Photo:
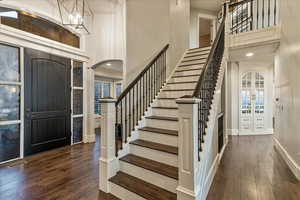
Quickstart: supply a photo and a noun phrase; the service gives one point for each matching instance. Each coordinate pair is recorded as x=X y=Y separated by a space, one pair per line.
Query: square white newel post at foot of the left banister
x=107 y=161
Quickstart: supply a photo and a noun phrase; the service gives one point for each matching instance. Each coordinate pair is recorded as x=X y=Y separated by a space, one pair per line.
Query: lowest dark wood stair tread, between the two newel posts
x=142 y=188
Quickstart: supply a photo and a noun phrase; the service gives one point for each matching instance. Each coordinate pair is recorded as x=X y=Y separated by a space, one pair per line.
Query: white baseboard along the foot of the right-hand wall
x=295 y=168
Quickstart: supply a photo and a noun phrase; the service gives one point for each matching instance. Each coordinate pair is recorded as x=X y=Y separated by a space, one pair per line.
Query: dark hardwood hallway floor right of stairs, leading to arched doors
x=251 y=169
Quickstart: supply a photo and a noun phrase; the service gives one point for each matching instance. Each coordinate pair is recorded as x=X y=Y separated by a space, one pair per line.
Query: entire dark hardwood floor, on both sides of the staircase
x=250 y=170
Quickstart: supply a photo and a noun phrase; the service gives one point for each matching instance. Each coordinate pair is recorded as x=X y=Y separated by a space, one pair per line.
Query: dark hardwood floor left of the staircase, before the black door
x=68 y=173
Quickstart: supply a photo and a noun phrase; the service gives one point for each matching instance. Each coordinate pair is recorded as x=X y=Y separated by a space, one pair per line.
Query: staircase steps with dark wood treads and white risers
x=150 y=169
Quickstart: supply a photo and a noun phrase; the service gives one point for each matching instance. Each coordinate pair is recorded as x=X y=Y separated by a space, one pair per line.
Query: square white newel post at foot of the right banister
x=188 y=164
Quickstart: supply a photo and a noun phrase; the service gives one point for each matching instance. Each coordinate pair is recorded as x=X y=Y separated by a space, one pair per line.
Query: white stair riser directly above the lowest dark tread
x=149 y=176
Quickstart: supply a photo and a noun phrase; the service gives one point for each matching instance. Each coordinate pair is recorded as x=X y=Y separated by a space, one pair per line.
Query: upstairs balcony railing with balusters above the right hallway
x=251 y=15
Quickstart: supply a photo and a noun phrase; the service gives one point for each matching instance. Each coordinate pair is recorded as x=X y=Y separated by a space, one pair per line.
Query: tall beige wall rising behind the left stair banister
x=150 y=25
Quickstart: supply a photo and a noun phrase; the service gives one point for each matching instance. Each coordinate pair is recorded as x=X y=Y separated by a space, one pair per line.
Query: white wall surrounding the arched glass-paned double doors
x=235 y=70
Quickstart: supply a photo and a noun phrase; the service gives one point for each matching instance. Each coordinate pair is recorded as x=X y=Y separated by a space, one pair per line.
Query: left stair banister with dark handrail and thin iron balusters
x=136 y=98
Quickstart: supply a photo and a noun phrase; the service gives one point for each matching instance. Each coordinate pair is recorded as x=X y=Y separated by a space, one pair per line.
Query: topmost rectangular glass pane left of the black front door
x=9 y=64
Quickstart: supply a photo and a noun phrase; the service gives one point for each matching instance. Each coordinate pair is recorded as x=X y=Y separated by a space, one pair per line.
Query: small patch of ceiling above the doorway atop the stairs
x=210 y=5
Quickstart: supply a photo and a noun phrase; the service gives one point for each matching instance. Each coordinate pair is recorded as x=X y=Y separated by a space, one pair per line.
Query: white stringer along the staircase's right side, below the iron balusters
x=205 y=180
